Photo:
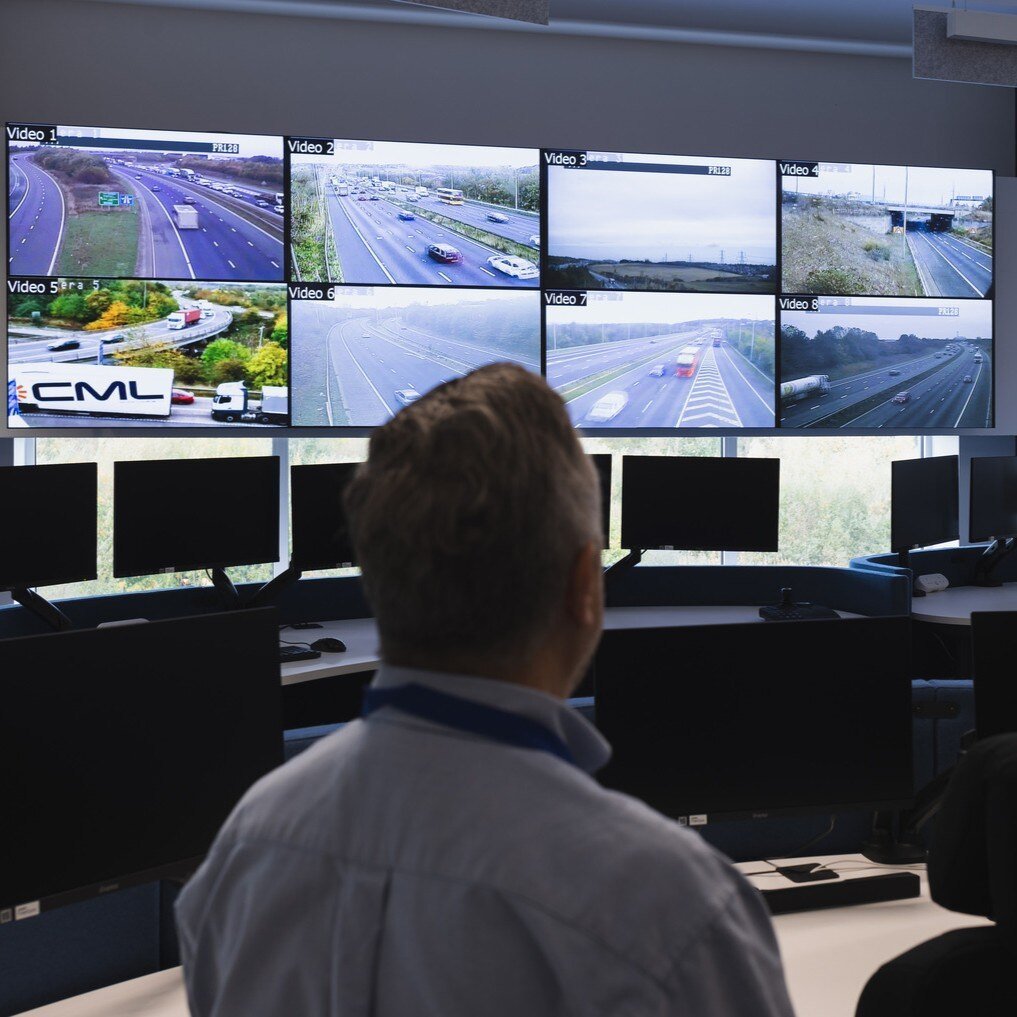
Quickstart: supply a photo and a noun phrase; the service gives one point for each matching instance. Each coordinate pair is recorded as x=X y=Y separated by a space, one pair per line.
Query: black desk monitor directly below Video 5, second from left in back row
x=178 y=515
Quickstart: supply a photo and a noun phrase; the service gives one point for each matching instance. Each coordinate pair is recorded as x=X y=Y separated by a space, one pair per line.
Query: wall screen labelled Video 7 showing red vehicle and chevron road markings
x=662 y=361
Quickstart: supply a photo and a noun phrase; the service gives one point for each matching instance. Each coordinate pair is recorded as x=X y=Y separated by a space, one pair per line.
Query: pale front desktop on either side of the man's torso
x=828 y=955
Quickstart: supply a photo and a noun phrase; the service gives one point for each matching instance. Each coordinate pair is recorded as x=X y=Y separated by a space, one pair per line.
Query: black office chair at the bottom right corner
x=973 y=869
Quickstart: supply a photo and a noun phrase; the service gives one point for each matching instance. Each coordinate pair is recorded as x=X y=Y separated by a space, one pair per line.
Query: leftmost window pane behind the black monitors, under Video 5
x=106 y=452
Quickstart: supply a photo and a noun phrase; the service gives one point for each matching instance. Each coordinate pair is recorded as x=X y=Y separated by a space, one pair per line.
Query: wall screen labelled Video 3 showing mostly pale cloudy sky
x=674 y=223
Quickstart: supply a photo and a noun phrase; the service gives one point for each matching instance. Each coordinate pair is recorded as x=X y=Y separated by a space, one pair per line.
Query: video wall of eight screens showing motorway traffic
x=194 y=280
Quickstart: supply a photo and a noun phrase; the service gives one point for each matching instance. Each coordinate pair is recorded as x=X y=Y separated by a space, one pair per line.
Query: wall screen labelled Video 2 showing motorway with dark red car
x=380 y=213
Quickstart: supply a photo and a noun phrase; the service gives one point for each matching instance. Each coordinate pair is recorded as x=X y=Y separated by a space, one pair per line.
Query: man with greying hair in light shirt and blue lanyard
x=450 y=855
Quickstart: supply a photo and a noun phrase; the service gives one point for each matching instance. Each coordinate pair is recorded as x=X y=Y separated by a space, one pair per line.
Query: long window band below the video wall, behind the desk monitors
x=835 y=493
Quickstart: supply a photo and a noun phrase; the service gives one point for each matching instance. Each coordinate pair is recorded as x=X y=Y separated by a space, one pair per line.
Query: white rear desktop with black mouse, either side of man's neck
x=362 y=639
